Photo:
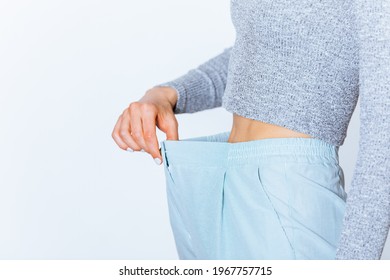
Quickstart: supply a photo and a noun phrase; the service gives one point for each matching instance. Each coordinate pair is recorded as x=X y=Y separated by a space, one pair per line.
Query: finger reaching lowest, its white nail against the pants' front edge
x=150 y=137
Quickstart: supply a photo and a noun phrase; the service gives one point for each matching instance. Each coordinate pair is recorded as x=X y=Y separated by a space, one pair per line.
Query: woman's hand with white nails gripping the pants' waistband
x=135 y=129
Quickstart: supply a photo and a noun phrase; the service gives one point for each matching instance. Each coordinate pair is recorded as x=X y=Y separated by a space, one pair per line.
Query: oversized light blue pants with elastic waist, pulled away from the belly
x=279 y=198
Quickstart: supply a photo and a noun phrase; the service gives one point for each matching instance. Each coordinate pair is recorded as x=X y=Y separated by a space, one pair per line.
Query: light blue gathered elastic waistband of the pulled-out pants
x=214 y=150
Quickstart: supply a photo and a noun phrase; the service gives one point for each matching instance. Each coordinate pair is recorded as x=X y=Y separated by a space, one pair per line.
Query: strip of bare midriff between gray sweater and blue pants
x=245 y=129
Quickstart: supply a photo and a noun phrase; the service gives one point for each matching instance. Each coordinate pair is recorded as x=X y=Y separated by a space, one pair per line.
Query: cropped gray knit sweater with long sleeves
x=303 y=64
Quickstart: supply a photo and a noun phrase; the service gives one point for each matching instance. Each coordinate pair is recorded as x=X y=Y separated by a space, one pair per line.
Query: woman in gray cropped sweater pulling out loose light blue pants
x=272 y=188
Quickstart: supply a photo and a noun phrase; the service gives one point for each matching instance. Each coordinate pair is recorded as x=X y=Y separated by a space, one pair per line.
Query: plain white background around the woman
x=67 y=71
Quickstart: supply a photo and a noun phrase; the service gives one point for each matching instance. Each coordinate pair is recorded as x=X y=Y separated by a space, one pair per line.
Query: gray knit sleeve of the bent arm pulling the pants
x=203 y=87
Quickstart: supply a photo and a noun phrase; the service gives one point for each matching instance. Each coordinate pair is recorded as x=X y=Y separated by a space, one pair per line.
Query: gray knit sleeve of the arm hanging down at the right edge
x=367 y=216
